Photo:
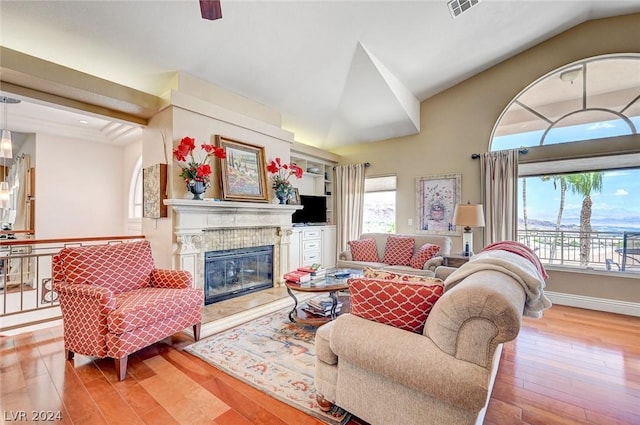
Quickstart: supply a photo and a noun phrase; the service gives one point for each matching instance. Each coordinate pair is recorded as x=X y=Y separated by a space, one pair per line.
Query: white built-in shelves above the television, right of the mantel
x=317 y=179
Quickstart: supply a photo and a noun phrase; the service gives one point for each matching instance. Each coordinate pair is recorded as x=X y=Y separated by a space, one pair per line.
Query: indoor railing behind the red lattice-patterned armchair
x=26 y=291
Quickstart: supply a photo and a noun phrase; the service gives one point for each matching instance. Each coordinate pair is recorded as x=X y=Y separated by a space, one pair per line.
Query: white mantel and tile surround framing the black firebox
x=202 y=227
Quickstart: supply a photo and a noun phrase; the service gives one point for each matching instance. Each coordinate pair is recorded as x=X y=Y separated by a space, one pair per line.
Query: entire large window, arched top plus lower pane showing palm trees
x=579 y=203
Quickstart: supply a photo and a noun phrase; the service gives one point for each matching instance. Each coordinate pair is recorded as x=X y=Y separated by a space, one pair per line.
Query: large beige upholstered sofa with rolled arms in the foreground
x=386 y=375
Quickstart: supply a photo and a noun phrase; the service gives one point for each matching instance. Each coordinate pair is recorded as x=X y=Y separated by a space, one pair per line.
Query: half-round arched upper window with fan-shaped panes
x=591 y=99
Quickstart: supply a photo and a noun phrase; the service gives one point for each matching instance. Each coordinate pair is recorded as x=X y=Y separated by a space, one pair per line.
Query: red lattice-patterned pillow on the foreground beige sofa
x=399 y=304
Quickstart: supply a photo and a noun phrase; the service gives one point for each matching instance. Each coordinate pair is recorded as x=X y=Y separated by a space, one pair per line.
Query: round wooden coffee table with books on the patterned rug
x=328 y=285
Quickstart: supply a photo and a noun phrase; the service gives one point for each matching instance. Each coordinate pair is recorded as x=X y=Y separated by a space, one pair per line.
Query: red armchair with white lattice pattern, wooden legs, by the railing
x=115 y=302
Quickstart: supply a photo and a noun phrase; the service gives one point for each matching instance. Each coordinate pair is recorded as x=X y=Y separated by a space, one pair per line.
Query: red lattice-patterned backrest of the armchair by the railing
x=123 y=269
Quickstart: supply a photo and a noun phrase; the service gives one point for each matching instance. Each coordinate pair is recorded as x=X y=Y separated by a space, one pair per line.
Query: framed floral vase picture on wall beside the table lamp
x=436 y=199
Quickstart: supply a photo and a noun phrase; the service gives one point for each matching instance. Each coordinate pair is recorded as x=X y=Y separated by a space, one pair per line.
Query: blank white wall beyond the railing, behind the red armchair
x=79 y=188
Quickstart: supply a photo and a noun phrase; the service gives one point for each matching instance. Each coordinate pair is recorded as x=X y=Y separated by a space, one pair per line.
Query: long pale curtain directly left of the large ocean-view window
x=499 y=174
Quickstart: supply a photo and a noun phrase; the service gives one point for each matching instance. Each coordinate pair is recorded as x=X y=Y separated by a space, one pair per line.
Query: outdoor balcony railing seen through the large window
x=616 y=251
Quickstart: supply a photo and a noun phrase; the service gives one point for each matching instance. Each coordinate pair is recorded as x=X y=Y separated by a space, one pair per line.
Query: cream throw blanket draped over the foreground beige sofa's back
x=519 y=268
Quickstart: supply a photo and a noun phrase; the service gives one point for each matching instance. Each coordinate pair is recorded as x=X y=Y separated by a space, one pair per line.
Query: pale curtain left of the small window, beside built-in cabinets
x=349 y=199
